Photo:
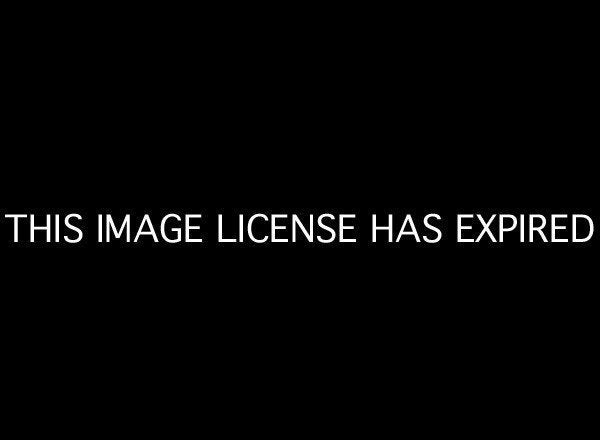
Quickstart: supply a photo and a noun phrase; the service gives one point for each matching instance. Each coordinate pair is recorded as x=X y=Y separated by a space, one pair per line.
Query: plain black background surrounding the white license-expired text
x=368 y=113
